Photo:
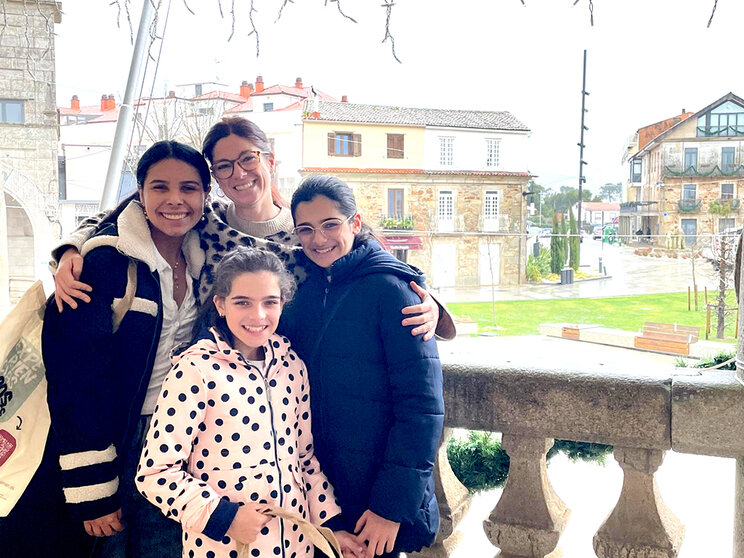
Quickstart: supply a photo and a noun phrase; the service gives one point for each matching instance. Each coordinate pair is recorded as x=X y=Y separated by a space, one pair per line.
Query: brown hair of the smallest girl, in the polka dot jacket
x=236 y=262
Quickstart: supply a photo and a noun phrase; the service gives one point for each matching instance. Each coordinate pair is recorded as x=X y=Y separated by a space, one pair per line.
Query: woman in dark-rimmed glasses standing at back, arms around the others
x=243 y=165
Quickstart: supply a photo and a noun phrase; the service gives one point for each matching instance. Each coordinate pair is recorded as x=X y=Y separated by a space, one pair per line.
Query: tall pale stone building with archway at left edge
x=28 y=143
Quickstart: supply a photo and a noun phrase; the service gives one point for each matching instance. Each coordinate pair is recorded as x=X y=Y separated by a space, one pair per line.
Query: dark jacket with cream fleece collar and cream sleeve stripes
x=97 y=378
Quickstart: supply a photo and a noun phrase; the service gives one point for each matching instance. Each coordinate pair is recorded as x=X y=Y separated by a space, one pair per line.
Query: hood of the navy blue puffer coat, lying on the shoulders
x=369 y=258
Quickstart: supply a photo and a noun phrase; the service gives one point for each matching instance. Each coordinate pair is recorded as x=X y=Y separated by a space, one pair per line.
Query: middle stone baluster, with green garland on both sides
x=529 y=517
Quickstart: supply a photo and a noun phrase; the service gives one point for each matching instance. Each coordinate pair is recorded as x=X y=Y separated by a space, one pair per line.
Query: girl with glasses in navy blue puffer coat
x=376 y=401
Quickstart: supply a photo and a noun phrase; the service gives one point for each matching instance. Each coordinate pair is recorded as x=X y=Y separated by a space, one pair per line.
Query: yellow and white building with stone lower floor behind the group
x=443 y=187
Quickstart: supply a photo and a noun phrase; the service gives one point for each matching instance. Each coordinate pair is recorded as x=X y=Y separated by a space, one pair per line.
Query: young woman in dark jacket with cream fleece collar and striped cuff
x=105 y=369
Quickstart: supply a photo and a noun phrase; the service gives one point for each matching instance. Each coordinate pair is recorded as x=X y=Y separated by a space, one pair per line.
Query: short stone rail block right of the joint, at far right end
x=707 y=414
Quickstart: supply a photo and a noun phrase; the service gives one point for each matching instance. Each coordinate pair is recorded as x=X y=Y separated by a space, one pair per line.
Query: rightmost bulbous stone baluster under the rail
x=641 y=525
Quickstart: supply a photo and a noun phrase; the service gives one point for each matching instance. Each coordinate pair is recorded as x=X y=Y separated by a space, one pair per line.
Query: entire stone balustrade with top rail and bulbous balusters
x=641 y=415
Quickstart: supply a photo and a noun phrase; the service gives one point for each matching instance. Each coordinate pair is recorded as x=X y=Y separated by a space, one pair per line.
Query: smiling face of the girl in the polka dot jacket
x=252 y=309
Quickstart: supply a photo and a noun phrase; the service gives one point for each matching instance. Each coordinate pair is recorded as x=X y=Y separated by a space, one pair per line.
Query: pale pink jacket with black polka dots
x=225 y=433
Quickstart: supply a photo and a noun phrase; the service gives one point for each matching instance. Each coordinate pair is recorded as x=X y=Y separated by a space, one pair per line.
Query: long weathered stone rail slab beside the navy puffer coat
x=622 y=408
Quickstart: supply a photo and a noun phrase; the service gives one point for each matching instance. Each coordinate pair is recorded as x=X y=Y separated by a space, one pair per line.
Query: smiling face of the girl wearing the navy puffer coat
x=325 y=248
